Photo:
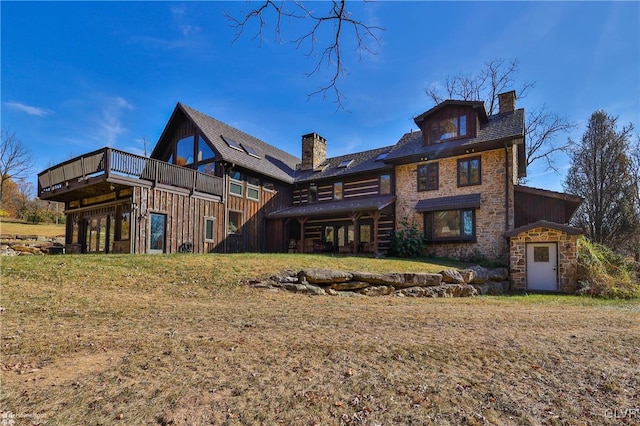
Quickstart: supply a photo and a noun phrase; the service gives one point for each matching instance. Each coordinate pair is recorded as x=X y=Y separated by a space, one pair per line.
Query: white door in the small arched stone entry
x=542 y=266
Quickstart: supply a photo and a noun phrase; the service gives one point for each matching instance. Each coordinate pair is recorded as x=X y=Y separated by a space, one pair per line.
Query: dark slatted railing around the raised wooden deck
x=113 y=162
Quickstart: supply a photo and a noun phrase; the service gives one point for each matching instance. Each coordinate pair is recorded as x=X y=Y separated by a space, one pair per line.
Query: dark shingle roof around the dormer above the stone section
x=500 y=127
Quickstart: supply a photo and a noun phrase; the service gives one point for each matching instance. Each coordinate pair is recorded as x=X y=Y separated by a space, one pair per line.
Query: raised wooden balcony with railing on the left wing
x=104 y=170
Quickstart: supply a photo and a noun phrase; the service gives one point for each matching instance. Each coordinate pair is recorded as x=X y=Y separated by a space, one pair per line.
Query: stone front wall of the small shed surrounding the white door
x=567 y=257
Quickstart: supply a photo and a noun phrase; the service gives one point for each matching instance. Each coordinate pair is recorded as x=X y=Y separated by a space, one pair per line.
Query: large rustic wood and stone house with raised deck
x=209 y=187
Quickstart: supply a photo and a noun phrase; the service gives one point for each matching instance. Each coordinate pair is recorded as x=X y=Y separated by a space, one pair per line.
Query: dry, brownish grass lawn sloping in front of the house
x=143 y=340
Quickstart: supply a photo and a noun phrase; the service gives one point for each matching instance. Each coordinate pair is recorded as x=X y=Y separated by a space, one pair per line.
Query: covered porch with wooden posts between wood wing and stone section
x=344 y=227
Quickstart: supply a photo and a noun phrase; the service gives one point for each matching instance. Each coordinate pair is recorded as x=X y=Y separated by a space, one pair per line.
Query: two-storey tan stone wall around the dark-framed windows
x=490 y=218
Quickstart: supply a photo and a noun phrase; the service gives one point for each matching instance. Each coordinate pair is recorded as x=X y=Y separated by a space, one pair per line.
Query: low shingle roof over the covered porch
x=336 y=207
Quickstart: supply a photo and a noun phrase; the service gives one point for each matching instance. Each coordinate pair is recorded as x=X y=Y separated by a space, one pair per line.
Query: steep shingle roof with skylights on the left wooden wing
x=272 y=161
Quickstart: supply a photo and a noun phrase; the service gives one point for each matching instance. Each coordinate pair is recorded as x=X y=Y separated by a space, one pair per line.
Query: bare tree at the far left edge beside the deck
x=15 y=159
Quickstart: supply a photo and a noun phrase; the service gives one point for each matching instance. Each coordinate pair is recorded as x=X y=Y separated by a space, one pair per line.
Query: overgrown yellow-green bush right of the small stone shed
x=604 y=273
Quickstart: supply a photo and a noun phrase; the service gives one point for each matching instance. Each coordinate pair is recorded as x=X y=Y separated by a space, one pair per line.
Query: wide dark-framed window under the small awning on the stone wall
x=457 y=225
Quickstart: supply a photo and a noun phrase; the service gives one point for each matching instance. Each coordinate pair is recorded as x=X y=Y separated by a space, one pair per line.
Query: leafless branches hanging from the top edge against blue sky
x=338 y=19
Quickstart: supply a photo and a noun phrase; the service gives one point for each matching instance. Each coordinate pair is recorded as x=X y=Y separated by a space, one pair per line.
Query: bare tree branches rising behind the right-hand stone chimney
x=497 y=76
